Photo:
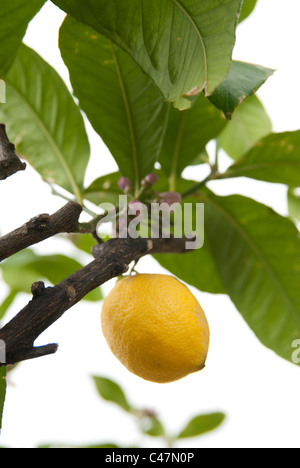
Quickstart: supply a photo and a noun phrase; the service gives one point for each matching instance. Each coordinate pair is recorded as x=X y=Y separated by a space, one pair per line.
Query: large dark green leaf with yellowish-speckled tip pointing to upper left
x=119 y=100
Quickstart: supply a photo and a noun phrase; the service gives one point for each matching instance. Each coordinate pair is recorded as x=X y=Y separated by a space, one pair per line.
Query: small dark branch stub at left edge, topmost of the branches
x=9 y=161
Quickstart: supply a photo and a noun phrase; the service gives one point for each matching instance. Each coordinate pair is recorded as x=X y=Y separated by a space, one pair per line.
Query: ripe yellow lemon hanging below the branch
x=156 y=327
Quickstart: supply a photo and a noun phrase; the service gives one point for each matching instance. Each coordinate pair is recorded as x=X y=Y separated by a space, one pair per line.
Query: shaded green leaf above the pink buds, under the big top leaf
x=187 y=134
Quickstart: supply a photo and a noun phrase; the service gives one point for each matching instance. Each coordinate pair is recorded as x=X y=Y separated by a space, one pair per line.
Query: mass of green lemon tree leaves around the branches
x=157 y=82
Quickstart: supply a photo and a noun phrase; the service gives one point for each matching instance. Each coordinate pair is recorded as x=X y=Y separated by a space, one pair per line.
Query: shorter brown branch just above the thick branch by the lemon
x=40 y=228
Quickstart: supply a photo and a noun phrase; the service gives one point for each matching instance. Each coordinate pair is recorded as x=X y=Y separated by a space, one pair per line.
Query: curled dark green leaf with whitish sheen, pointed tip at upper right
x=243 y=80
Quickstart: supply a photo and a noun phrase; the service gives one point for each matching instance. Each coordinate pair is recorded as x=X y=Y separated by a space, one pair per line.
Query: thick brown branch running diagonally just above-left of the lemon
x=49 y=304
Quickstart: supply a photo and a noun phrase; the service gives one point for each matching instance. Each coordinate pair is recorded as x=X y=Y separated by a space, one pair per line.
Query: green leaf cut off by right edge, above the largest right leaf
x=274 y=159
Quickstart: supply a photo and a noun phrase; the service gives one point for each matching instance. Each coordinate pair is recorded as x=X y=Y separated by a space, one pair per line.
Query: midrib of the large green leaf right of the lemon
x=259 y=254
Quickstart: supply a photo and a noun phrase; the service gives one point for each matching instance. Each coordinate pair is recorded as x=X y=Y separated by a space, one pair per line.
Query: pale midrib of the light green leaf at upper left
x=53 y=144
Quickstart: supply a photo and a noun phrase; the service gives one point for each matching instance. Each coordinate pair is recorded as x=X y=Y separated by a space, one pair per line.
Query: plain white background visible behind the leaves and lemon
x=54 y=400
